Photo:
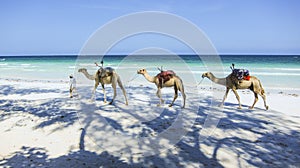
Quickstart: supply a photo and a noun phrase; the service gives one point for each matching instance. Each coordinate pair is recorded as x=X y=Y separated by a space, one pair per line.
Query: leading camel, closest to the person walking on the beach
x=106 y=75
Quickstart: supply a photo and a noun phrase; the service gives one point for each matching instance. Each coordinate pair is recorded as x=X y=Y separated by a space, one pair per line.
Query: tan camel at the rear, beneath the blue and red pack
x=231 y=82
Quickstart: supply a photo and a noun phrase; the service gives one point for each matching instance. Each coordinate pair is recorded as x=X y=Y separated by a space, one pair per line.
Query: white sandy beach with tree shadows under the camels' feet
x=40 y=126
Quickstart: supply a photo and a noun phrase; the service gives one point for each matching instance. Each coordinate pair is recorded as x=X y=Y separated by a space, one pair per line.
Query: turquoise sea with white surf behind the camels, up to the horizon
x=275 y=71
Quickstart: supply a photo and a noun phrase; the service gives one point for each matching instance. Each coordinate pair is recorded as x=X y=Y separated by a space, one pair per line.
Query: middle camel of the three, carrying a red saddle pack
x=173 y=81
